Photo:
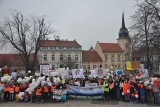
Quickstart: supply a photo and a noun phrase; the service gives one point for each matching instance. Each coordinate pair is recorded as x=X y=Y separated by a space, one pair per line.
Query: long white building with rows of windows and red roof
x=60 y=54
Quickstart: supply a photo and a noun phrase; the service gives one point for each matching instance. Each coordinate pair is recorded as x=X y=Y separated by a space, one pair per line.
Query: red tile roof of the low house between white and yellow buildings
x=90 y=56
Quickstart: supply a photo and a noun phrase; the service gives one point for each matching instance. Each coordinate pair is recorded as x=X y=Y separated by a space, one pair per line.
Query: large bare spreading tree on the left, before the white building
x=25 y=35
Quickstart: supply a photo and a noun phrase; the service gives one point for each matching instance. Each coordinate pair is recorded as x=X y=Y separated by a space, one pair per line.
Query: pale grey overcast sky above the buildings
x=86 y=21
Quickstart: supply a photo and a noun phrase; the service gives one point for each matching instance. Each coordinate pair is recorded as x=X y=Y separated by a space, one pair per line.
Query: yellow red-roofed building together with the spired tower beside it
x=114 y=55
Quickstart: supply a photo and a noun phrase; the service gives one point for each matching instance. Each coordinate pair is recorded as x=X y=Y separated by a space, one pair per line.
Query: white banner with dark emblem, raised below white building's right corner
x=77 y=73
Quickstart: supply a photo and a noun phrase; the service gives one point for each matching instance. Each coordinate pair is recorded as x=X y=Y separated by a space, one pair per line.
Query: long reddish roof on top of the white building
x=61 y=43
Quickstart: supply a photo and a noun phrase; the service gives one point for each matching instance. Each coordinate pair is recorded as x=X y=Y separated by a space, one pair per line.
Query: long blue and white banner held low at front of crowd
x=92 y=90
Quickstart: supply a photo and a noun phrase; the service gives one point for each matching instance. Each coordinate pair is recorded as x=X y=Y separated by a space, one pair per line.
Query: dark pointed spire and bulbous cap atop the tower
x=123 y=32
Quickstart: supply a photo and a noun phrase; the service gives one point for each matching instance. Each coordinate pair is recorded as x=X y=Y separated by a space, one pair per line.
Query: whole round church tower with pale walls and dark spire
x=124 y=41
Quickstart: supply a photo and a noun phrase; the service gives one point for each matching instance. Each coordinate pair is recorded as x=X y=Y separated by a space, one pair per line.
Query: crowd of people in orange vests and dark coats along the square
x=125 y=88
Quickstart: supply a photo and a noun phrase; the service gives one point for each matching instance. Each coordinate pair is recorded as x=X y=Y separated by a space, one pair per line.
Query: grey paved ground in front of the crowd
x=77 y=103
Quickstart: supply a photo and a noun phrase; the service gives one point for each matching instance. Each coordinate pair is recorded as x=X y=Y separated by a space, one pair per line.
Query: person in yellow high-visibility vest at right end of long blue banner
x=106 y=89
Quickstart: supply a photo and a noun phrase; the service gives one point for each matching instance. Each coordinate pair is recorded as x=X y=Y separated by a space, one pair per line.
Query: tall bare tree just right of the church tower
x=143 y=20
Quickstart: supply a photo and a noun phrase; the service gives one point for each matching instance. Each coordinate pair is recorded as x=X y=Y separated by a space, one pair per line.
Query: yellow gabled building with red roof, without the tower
x=111 y=54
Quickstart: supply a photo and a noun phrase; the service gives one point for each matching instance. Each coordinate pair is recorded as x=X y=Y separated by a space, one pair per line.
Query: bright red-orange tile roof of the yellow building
x=110 y=47
